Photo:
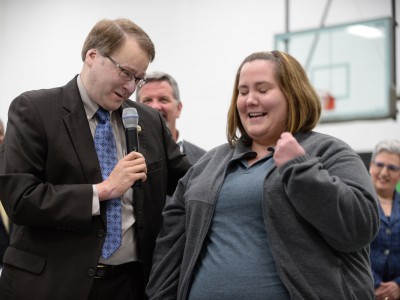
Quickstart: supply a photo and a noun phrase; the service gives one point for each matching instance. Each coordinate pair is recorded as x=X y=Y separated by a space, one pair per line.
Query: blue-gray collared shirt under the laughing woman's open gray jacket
x=236 y=260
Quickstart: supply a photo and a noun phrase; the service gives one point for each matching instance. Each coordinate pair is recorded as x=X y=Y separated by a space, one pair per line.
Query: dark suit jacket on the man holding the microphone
x=48 y=164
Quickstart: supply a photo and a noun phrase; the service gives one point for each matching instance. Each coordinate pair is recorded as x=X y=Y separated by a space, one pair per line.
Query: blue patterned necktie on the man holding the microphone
x=107 y=154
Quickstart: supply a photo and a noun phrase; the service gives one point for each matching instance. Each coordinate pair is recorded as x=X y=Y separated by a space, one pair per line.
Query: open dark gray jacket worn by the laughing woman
x=320 y=211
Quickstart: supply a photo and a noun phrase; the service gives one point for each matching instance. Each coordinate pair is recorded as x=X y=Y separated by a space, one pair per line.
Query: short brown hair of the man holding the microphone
x=107 y=36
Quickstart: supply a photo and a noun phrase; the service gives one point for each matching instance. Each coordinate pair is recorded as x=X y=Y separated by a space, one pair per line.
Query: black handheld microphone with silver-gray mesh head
x=130 y=119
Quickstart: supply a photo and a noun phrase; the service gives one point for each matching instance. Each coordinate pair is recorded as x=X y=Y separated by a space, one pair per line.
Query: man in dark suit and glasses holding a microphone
x=52 y=186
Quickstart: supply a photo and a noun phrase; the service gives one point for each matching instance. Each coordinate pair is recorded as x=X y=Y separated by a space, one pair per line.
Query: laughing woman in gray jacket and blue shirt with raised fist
x=278 y=212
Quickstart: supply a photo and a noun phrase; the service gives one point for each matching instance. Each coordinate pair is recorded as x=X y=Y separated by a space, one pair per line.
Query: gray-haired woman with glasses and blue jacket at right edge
x=385 y=249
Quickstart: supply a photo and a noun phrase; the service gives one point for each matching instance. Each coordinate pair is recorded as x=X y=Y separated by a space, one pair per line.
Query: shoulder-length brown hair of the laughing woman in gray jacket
x=304 y=107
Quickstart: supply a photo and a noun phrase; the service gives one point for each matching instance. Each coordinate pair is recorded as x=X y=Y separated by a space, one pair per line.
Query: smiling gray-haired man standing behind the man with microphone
x=162 y=93
